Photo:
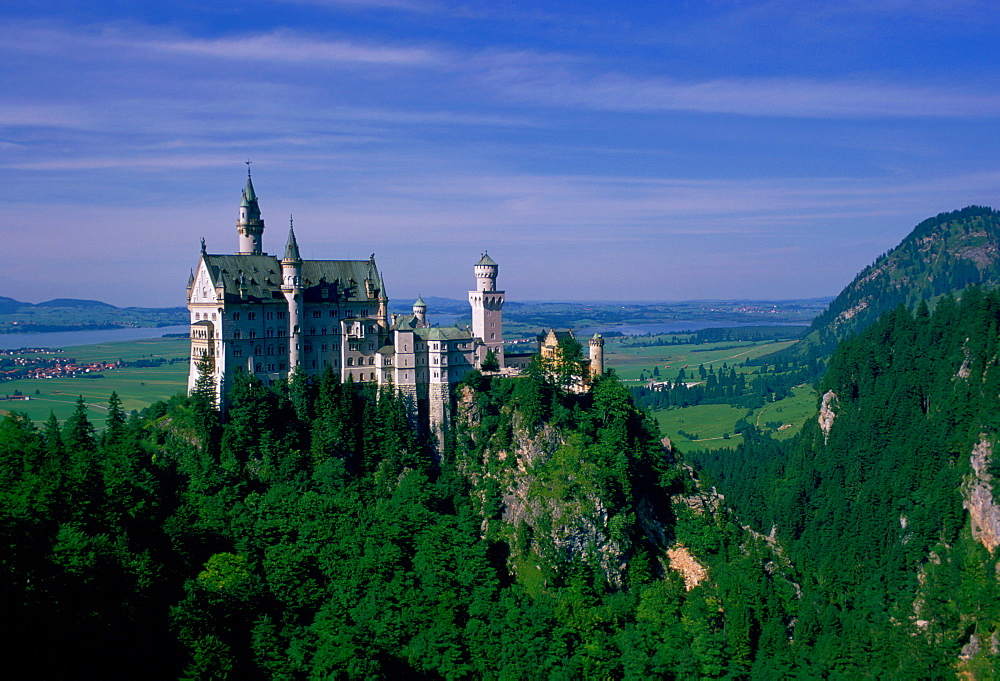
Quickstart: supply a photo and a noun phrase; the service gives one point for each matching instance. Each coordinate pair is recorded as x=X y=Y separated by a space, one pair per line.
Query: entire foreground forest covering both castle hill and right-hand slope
x=312 y=534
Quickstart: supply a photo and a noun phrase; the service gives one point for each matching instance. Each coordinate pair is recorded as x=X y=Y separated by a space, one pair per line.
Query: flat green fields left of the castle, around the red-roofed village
x=137 y=387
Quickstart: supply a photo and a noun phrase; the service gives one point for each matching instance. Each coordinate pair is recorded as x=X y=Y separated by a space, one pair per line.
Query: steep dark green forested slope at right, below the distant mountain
x=885 y=501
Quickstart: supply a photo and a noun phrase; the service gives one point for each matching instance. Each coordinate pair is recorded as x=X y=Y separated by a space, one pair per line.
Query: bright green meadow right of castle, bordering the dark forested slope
x=710 y=422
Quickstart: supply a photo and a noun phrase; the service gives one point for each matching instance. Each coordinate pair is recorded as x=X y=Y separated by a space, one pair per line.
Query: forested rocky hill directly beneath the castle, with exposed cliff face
x=312 y=535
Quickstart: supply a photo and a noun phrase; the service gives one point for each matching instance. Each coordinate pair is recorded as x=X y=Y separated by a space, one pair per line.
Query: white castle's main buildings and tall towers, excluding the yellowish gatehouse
x=251 y=312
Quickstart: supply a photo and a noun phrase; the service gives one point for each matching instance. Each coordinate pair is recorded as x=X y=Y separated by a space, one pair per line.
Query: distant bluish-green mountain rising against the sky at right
x=942 y=254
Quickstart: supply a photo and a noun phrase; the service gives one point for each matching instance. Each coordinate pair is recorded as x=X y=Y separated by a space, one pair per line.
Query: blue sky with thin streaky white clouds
x=597 y=150
